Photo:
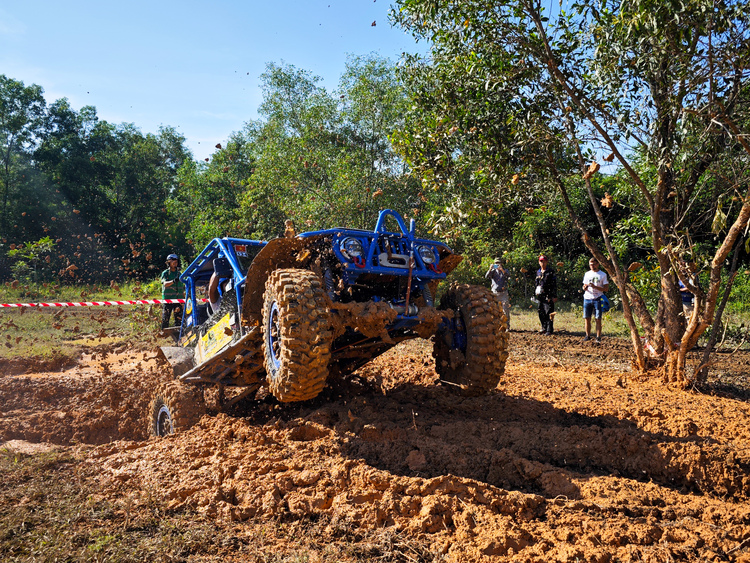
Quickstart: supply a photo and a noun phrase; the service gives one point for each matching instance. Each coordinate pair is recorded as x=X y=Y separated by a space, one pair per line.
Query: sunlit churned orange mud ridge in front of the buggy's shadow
x=300 y=465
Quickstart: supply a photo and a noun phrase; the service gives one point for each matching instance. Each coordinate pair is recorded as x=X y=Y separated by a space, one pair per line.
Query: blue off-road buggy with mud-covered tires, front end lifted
x=298 y=310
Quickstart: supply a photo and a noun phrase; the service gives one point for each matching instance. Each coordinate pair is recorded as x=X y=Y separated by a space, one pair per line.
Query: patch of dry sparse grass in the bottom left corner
x=50 y=511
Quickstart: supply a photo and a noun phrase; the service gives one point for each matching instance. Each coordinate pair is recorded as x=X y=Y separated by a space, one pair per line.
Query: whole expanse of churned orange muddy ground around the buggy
x=572 y=458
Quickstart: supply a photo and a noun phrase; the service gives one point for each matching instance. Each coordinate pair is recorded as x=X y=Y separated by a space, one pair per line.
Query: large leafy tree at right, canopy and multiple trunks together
x=530 y=101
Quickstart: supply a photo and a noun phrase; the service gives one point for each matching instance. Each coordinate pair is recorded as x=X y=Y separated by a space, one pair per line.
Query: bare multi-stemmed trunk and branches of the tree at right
x=668 y=327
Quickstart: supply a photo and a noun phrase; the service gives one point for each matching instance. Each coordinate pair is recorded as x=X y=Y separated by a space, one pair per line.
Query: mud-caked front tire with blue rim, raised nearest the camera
x=297 y=334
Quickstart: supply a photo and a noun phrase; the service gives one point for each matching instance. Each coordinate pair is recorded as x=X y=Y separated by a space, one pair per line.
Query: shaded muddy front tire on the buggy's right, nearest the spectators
x=475 y=361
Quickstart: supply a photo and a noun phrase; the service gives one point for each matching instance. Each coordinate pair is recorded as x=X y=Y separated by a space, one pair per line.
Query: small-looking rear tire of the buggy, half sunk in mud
x=175 y=407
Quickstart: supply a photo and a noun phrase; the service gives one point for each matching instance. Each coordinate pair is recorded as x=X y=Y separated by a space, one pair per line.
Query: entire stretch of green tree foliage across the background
x=476 y=142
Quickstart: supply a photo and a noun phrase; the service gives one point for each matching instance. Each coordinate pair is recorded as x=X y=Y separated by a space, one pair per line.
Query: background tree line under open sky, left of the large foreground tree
x=115 y=201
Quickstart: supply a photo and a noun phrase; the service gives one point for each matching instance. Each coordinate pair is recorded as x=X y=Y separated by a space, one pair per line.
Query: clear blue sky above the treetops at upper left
x=191 y=65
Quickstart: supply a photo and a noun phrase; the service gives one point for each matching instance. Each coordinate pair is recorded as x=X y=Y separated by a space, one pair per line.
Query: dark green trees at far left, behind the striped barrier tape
x=99 y=191
